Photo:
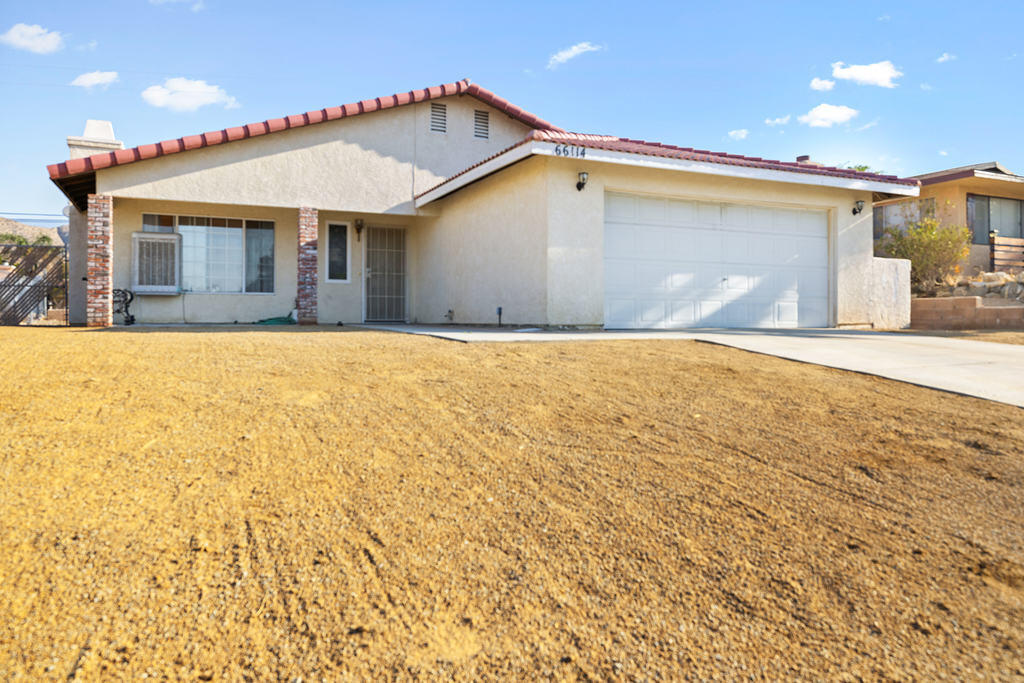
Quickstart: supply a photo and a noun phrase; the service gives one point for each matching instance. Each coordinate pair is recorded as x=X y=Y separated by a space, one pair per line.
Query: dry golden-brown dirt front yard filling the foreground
x=281 y=503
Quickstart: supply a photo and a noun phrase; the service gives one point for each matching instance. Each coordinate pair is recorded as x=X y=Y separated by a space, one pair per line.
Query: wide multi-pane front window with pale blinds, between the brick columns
x=222 y=255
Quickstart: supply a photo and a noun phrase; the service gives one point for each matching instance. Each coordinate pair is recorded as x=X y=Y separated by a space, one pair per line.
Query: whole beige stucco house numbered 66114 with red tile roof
x=445 y=204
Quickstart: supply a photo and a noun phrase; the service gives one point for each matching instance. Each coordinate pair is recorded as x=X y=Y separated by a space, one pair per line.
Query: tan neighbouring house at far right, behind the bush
x=984 y=197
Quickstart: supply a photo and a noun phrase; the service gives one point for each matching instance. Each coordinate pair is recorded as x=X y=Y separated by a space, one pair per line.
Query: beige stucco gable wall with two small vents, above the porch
x=371 y=163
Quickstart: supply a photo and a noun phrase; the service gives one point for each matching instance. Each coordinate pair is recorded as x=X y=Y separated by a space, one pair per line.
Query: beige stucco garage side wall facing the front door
x=487 y=248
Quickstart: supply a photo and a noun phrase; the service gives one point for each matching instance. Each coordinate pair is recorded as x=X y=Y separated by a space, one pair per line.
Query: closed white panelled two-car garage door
x=674 y=264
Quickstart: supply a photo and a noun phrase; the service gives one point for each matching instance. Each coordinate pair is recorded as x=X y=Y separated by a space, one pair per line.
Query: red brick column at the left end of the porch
x=100 y=255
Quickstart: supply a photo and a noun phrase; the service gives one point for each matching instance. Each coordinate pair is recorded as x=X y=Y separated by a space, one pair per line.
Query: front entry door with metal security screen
x=386 y=275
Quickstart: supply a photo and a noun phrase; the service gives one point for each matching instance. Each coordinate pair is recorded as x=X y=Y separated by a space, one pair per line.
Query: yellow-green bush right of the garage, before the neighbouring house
x=934 y=250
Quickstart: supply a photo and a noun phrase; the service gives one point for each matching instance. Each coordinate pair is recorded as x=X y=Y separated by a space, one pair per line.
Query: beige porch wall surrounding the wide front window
x=209 y=308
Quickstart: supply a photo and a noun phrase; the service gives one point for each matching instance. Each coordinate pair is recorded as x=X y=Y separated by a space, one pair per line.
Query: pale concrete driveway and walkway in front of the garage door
x=986 y=370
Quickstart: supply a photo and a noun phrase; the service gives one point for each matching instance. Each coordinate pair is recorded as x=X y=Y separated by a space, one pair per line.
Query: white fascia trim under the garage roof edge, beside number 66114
x=648 y=161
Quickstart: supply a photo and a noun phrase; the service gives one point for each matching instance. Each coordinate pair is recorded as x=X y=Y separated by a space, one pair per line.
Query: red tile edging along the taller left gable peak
x=108 y=159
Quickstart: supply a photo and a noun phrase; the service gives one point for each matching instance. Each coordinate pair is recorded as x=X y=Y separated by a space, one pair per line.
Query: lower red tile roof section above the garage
x=614 y=144
